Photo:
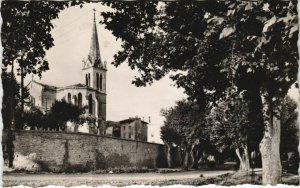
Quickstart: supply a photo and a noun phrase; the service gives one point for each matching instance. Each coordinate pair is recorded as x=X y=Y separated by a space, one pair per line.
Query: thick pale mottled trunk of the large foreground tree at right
x=269 y=147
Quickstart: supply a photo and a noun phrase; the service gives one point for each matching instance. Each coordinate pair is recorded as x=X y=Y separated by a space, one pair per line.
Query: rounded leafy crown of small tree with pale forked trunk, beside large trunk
x=230 y=124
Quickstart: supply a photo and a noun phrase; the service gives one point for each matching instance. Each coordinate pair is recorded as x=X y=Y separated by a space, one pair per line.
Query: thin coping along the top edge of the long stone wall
x=80 y=133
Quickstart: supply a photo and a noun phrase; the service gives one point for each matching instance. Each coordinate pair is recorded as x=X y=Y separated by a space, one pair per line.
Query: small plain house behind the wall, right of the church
x=134 y=129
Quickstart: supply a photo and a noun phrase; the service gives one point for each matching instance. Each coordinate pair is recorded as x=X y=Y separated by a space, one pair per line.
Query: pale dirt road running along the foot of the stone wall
x=38 y=180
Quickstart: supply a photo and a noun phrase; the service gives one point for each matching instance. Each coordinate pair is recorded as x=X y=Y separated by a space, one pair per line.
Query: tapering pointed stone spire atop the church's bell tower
x=94 y=53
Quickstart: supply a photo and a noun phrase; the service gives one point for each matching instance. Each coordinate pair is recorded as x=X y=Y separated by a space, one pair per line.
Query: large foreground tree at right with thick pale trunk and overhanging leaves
x=264 y=58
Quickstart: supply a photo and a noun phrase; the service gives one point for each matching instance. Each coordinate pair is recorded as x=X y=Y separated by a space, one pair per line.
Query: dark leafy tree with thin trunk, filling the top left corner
x=26 y=36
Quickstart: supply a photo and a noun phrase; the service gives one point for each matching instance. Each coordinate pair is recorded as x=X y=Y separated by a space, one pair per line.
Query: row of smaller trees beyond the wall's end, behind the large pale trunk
x=228 y=128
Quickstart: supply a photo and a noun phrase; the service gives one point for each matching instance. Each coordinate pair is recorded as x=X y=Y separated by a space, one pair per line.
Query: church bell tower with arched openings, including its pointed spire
x=94 y=72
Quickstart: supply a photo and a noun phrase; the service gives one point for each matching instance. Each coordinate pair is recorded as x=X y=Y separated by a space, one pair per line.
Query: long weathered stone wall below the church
x=59 y=151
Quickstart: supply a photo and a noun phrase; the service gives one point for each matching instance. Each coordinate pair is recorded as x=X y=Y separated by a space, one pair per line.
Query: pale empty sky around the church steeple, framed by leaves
x=71 y=33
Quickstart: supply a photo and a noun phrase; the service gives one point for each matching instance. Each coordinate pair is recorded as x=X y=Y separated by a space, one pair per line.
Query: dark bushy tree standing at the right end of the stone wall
x=182 y=127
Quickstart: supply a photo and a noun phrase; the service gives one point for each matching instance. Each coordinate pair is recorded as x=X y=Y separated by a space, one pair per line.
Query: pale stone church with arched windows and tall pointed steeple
x=91 y=92
